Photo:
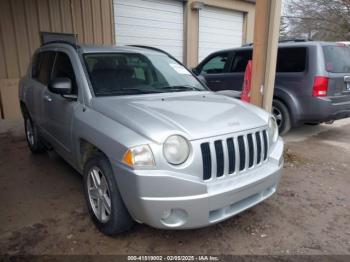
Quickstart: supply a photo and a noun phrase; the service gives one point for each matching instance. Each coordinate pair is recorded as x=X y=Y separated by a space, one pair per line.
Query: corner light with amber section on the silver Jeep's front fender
x=139 y=156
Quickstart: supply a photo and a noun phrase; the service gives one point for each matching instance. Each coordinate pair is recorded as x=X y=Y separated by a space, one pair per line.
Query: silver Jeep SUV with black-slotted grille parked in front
x=153 y=144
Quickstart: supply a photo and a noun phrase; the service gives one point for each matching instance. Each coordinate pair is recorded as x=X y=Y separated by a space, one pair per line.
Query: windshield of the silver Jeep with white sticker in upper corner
x=113 y=74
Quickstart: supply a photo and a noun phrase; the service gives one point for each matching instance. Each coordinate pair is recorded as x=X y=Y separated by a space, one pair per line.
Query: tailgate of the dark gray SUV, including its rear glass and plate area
x=337 y=64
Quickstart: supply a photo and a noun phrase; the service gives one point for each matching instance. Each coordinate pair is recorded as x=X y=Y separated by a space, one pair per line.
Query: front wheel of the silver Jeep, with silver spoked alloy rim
x=105 y=205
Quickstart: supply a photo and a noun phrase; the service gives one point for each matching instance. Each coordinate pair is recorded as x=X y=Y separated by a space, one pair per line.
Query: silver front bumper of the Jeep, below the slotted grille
x=170 y=200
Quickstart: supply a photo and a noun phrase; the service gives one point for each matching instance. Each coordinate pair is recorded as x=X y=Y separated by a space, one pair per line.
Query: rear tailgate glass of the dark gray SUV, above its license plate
x=337 y=59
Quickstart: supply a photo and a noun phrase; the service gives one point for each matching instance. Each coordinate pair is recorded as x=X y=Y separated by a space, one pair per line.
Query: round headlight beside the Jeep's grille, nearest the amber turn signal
x=176 y=150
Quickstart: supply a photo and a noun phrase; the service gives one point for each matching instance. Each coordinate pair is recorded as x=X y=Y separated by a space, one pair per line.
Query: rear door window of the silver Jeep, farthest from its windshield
x=43 y=66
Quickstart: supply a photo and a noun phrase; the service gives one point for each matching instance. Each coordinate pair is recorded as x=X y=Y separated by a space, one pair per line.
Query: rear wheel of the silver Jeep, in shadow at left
x=34 y=141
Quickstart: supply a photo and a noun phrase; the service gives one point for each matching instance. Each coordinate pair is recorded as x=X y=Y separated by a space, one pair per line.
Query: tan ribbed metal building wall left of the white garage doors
x=20 y=24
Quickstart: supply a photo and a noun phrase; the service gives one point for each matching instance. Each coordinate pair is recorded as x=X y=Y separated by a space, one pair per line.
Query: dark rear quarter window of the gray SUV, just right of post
x=291 y=60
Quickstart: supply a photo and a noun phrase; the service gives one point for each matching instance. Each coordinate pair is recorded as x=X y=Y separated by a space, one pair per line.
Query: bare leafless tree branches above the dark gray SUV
x=327 y=20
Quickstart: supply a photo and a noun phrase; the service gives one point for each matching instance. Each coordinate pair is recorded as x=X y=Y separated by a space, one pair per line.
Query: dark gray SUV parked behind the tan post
x=312 y=80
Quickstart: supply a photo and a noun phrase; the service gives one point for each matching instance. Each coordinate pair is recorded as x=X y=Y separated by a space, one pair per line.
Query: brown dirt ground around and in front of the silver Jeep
x=43 y=209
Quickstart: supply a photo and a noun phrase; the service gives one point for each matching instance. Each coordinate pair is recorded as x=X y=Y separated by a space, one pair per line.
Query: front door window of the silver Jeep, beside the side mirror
x=63 y=68
